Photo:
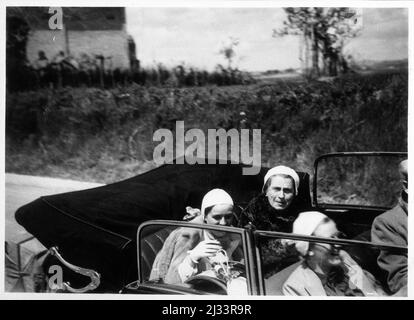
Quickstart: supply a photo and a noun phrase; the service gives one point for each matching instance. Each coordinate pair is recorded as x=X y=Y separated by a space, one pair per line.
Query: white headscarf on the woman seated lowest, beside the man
x=306 y=224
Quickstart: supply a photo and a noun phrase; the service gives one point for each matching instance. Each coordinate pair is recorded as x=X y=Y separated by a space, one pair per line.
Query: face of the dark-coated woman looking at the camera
x=281 y=192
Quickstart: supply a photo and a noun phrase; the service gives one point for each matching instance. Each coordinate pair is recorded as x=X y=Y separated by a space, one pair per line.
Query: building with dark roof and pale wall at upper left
x=96 y=32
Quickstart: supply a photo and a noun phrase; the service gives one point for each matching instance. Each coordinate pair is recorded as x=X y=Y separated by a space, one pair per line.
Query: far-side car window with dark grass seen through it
x=359 y=180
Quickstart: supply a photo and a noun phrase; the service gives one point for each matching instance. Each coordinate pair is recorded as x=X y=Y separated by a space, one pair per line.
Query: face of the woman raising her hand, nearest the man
x=323 y=254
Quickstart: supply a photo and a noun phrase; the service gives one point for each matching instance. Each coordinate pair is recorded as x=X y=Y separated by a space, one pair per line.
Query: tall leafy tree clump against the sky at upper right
x=324 y=33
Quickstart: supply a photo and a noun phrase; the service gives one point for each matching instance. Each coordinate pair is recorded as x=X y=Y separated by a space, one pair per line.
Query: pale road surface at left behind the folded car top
x=21 y=189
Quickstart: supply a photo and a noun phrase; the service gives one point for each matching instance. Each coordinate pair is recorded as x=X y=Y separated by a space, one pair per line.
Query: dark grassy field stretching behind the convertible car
x=106 y=135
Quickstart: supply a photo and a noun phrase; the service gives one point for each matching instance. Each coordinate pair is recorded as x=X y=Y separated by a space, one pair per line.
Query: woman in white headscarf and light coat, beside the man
x=326 y=270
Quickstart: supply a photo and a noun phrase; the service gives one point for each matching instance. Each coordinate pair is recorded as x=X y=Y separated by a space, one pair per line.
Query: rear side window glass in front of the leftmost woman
x=197 y=258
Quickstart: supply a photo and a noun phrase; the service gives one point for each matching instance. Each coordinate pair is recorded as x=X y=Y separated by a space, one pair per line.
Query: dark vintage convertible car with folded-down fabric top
x=106 y=238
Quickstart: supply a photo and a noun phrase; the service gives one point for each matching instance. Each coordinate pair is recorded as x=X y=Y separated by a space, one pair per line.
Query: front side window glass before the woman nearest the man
x=305 y=267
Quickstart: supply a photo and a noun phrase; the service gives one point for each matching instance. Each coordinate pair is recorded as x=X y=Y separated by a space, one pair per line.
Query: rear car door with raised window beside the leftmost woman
x=162 y=247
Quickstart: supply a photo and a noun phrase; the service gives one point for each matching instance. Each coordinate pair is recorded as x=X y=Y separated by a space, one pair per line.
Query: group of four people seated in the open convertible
x=322 y=269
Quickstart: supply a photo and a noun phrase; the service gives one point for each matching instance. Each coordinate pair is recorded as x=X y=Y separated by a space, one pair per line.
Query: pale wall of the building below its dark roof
x=109 y=43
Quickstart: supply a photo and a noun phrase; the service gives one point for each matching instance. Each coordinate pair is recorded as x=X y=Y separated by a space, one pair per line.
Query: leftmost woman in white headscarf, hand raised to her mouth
x=188 y=251
